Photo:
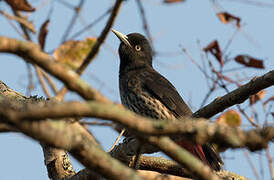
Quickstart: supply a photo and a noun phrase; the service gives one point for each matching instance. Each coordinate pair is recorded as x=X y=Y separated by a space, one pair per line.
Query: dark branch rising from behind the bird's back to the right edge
x=237 y=96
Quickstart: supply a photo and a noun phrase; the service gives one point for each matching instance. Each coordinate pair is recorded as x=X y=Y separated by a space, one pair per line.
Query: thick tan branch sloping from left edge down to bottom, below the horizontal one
x=74 y=138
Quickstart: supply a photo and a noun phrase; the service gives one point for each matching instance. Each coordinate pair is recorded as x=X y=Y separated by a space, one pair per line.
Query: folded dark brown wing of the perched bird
x=164 y=91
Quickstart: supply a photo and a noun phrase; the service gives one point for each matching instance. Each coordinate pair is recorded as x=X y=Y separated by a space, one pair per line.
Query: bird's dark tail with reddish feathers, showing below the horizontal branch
x=207 y=155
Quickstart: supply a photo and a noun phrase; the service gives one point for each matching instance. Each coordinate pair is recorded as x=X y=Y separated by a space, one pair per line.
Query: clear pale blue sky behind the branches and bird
x=173 y=27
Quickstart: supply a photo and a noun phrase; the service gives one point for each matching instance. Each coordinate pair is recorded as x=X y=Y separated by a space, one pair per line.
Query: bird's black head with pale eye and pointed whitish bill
x=135 y=51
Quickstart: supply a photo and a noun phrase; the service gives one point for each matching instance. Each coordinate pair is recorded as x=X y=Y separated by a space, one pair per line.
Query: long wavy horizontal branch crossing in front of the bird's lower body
x=197 y=130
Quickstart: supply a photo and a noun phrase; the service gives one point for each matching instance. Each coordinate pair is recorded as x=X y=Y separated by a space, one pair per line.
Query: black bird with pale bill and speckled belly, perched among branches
x=146 y=92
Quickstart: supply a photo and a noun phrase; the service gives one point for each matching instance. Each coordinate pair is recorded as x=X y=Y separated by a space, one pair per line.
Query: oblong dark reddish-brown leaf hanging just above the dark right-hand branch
x=249 y=61
